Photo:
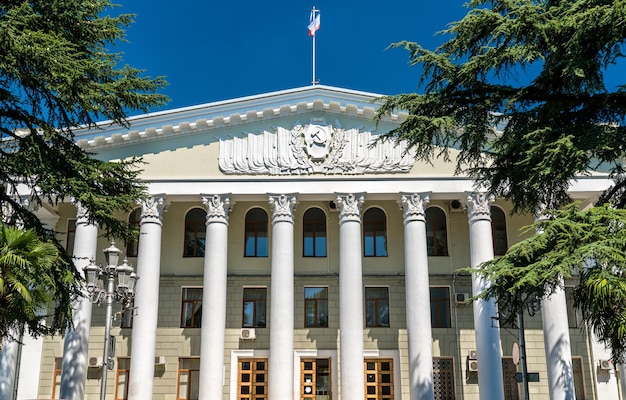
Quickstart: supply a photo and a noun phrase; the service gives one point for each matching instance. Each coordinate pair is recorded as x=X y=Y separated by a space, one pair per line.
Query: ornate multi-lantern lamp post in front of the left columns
x=118 y=285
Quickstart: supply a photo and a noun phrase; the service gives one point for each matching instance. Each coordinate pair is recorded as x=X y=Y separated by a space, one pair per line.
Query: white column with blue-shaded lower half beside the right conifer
x=487 y=330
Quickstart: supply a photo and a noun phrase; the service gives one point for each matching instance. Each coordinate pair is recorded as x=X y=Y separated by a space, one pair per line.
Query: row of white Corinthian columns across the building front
x=281 y=365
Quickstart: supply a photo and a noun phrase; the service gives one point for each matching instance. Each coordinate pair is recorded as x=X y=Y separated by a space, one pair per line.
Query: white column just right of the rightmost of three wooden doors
x=417 y=296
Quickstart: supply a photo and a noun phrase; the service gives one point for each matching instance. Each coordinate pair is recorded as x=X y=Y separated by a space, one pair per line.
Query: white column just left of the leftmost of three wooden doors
x=214 y=297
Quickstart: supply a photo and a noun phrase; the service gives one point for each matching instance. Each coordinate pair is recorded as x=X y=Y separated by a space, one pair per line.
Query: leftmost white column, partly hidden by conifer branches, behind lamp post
x=74 y=371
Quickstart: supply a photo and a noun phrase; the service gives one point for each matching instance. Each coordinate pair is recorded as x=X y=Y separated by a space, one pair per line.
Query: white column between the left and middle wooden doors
x=281 y=298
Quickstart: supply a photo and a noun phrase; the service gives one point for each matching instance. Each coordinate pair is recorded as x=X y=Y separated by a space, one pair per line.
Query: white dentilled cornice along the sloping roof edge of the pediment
x=224 y=114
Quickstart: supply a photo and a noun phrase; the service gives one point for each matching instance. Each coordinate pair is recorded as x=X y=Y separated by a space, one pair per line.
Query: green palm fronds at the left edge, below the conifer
x=29 y=280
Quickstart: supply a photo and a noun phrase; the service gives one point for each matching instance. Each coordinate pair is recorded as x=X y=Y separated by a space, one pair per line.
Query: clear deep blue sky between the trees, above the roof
x=217 y=50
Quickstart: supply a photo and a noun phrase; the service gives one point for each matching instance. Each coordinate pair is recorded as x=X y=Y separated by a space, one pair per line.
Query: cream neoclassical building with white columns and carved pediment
x=284 y=253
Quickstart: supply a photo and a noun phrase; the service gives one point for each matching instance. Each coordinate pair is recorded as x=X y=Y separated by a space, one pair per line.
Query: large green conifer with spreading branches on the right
x=519 y=89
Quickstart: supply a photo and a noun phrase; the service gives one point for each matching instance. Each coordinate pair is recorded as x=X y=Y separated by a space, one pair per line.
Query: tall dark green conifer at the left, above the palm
x=57 y=75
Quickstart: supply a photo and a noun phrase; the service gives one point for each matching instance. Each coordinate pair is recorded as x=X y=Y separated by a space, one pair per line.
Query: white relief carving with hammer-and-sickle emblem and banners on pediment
x=315 y=148
